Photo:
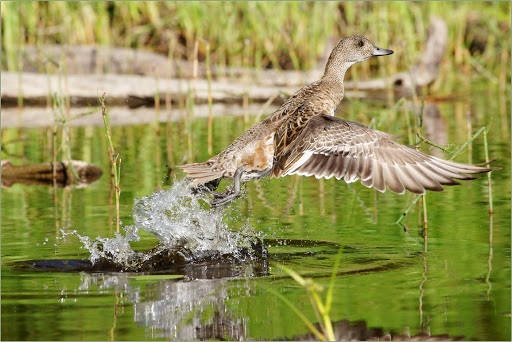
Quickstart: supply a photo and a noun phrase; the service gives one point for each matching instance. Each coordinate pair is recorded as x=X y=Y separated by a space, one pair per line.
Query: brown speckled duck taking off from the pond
x=303 y=137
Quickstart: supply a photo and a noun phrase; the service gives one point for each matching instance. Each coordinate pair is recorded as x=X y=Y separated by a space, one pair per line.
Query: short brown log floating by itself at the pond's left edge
x=74 y=173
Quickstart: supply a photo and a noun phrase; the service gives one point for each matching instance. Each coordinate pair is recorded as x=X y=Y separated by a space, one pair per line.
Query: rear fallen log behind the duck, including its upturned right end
x=83 y=59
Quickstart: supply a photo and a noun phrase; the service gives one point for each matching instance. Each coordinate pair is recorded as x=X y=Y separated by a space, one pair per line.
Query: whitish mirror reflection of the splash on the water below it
x=182 y=310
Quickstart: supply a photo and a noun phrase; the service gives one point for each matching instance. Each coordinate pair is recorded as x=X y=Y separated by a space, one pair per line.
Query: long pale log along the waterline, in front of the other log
x=132 y=90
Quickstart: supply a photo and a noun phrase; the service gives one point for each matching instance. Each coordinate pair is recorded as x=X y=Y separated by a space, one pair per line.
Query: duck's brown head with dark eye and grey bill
x=351 y=50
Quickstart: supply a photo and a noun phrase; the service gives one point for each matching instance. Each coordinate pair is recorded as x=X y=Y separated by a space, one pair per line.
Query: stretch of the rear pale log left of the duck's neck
x=86 y=60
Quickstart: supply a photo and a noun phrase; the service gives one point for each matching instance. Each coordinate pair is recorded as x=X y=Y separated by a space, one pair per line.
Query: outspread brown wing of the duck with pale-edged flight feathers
x=330 y=147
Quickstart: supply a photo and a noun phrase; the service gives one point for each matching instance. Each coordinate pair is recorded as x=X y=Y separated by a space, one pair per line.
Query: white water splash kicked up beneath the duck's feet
x=181 y=221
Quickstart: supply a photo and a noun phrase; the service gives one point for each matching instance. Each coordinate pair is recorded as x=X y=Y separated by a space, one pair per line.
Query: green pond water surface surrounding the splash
x=387 y=282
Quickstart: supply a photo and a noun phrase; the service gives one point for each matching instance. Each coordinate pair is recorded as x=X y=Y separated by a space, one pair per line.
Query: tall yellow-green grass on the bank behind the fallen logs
x=289 y=35
